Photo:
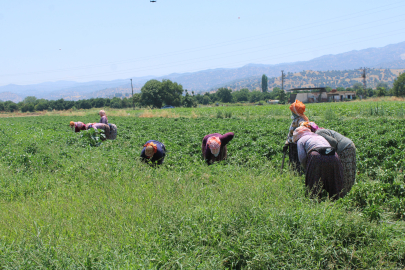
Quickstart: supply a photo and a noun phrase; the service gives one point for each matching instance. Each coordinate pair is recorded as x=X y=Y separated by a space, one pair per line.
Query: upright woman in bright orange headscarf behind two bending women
x=297 y=109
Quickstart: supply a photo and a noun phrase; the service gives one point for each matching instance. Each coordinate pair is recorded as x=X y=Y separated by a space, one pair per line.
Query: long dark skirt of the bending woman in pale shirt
x=325 y=172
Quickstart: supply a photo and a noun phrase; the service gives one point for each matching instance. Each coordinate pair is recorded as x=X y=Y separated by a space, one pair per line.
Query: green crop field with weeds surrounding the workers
x=66 y=204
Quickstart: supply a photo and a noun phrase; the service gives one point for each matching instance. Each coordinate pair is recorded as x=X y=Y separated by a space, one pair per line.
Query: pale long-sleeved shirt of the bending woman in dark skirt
x=307 y=143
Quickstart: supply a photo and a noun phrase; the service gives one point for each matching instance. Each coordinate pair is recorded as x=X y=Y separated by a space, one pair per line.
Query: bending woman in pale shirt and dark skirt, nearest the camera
x=322 y=164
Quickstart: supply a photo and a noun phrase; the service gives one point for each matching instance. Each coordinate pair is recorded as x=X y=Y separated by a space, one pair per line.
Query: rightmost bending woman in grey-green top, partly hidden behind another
x=345 y=149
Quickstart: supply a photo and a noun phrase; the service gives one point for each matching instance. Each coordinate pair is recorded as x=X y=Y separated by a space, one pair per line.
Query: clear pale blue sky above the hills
x=48 y=41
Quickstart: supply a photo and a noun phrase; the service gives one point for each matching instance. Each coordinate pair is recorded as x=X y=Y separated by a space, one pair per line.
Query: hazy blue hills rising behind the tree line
x=384 y=64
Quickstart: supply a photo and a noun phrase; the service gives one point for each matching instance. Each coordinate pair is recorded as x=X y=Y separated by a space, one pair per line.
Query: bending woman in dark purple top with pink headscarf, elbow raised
x=214 y=146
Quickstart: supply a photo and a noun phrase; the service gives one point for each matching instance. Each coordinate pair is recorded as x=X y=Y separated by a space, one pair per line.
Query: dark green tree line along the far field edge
x=155 y=94
